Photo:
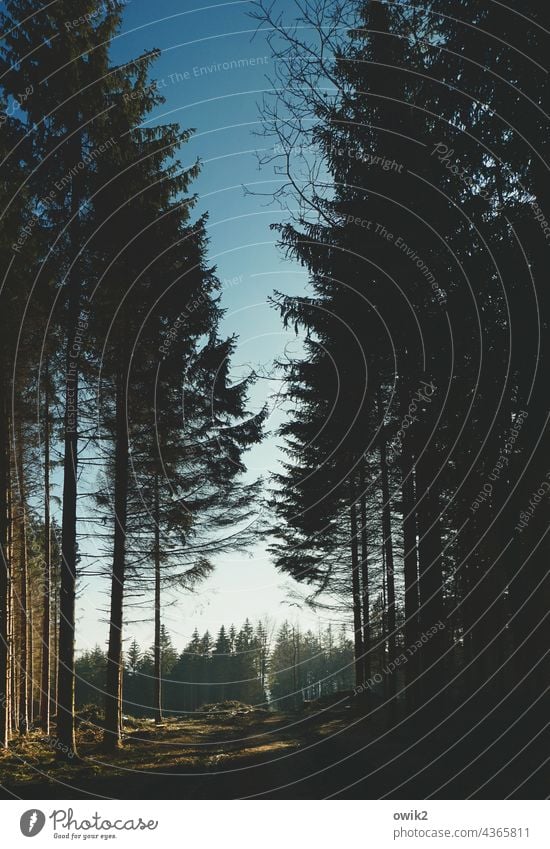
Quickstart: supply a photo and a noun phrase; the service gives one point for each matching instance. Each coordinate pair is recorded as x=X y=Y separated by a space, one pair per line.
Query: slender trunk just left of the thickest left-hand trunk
x=45 y=685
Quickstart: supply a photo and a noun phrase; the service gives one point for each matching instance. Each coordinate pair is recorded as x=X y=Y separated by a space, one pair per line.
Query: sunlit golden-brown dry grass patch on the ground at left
x=211 y=740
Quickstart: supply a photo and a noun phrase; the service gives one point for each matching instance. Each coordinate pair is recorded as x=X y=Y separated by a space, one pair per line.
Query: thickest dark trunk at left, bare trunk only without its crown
x=67 y=595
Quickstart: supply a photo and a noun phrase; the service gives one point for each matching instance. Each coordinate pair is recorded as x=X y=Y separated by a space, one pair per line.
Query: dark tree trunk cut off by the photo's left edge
x=5 y=576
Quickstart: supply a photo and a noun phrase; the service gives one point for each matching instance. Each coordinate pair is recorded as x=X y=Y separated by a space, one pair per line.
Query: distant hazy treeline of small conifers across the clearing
x=244 y=665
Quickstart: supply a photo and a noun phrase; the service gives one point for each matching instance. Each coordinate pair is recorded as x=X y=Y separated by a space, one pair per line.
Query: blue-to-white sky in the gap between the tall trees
x=212 y=72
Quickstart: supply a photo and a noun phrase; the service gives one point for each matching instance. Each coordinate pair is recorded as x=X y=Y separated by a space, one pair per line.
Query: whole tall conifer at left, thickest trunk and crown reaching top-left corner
x=66 y=72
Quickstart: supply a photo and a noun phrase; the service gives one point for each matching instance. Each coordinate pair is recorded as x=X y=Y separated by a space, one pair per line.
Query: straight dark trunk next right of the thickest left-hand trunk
x=113 y=694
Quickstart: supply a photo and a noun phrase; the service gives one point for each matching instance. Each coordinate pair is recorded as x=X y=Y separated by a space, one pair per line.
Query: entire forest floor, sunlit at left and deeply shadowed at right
x=260 y=754
